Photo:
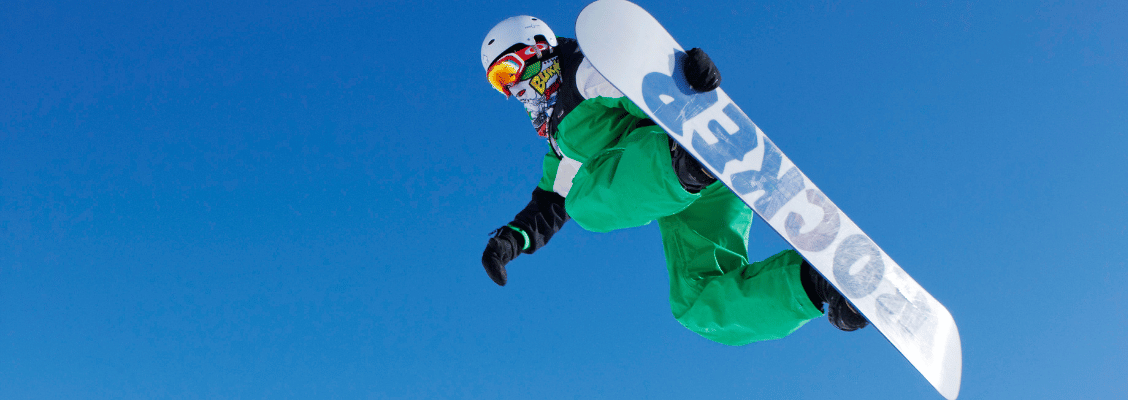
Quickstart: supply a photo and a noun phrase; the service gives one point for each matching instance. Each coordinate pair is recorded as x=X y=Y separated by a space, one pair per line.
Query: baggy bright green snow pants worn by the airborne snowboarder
x=715 y=291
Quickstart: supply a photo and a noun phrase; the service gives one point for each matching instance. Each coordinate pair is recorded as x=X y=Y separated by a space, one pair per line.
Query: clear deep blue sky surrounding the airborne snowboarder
x=289 y=201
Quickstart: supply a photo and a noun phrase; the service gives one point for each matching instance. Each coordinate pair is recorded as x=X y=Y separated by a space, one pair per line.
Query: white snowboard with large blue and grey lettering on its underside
x=640 y=58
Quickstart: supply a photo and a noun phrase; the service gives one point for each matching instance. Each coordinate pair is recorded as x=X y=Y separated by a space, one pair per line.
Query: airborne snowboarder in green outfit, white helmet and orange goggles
x=610 y=167
